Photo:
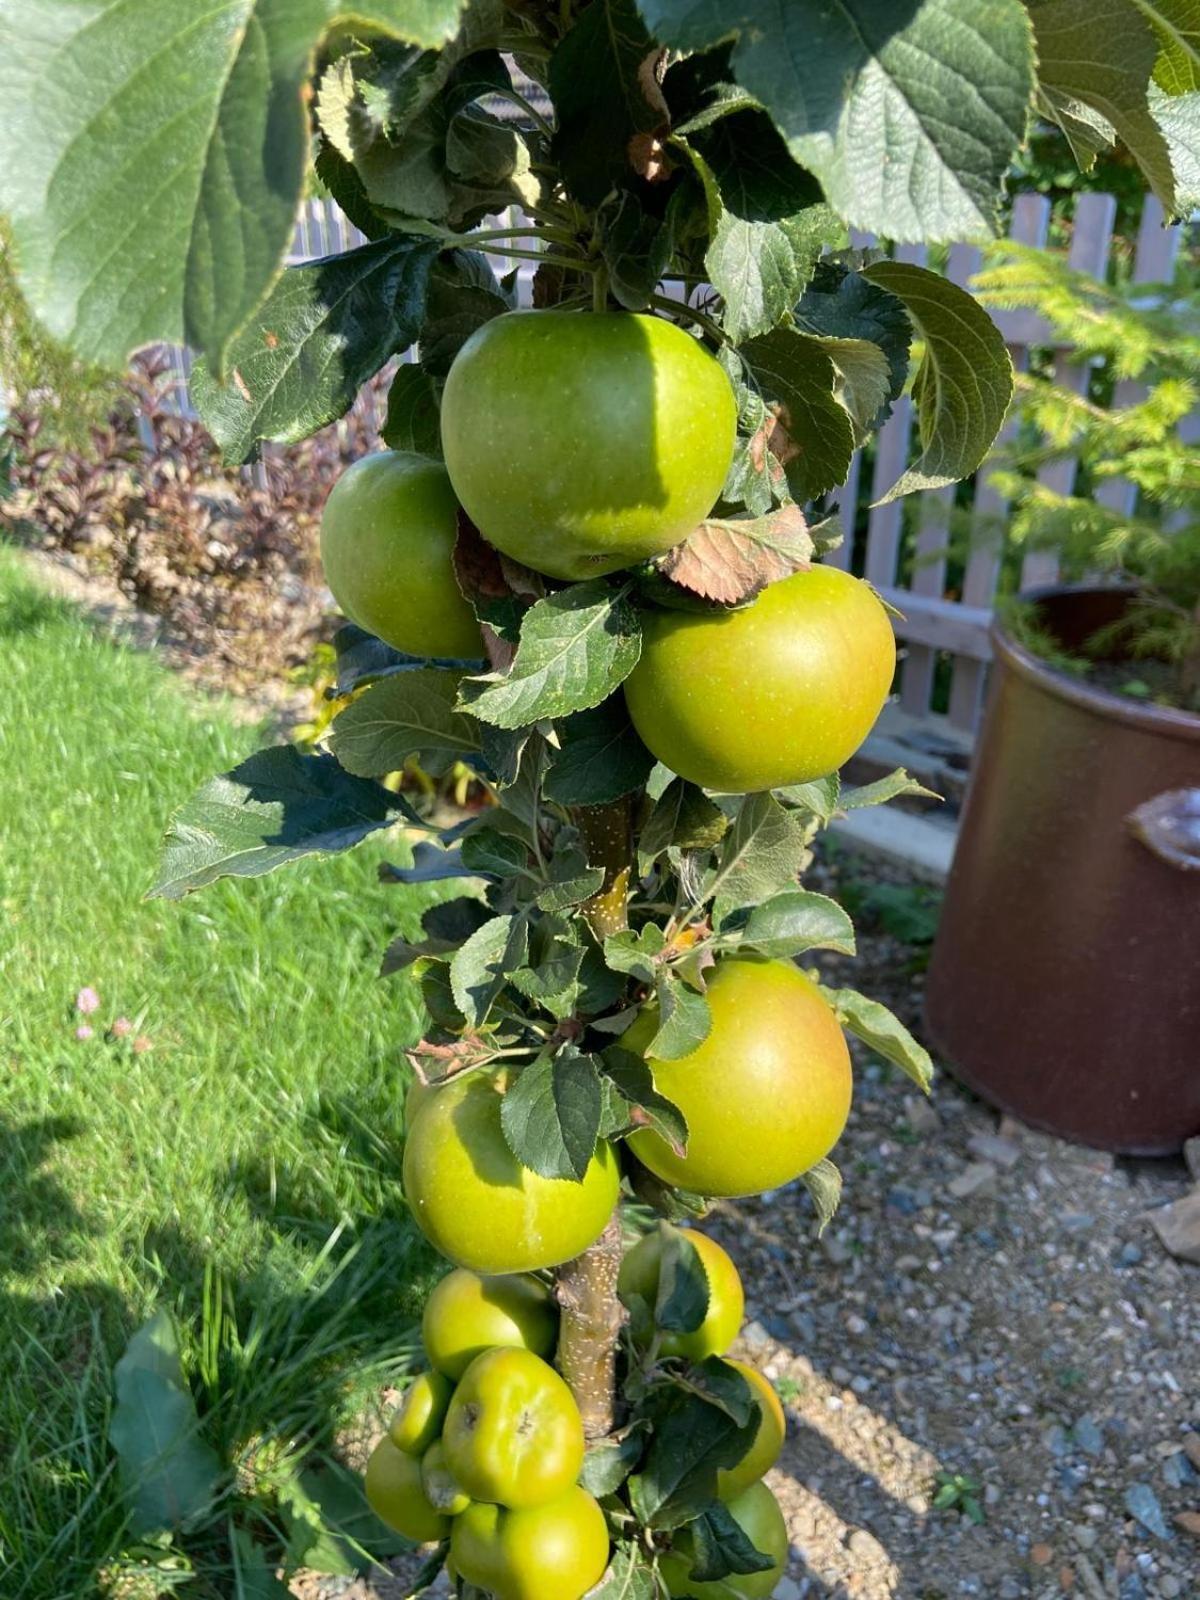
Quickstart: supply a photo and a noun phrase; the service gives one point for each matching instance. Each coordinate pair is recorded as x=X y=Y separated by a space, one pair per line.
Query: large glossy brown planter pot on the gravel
x=1065 y=985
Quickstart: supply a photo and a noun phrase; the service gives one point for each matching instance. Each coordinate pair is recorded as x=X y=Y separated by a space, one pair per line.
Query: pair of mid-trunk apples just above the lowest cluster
x=766 y=1097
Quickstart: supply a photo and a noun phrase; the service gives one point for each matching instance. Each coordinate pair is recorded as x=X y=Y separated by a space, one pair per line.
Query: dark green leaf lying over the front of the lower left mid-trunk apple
x=551 y=1116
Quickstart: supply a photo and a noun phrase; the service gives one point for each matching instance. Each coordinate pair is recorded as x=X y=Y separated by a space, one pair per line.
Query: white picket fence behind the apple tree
x=903 y=546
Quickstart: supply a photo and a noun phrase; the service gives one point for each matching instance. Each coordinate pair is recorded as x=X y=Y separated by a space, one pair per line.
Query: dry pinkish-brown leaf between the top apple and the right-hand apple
x=732 y=561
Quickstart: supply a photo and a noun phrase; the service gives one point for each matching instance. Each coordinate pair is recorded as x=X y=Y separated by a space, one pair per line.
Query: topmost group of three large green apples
x=580 y=446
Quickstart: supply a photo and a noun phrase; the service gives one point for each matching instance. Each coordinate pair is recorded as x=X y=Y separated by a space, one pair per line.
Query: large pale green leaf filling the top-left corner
x=162 y=156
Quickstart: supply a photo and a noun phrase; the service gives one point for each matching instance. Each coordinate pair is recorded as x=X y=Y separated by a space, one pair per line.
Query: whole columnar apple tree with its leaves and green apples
x=590 y=570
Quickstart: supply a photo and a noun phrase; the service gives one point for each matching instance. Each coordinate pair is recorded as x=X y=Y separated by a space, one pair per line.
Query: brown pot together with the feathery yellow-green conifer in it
x=1082 y=830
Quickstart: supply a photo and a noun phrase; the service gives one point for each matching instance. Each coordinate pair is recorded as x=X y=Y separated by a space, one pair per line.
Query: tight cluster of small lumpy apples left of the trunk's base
x=489 y=1446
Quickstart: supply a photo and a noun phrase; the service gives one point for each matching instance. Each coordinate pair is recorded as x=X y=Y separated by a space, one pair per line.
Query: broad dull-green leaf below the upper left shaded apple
x=409 y=716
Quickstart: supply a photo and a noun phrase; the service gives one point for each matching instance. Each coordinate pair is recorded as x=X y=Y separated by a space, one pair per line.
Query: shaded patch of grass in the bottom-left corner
x=289 y=1348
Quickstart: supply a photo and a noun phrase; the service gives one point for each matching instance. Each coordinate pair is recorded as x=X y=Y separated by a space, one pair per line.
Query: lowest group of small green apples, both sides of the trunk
x=489 y=1444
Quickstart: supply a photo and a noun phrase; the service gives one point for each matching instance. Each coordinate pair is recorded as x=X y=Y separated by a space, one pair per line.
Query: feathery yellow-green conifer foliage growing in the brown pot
x=1134 y=518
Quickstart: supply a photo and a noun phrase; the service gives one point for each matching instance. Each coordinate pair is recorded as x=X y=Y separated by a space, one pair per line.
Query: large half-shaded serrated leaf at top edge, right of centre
x=908 y=116
